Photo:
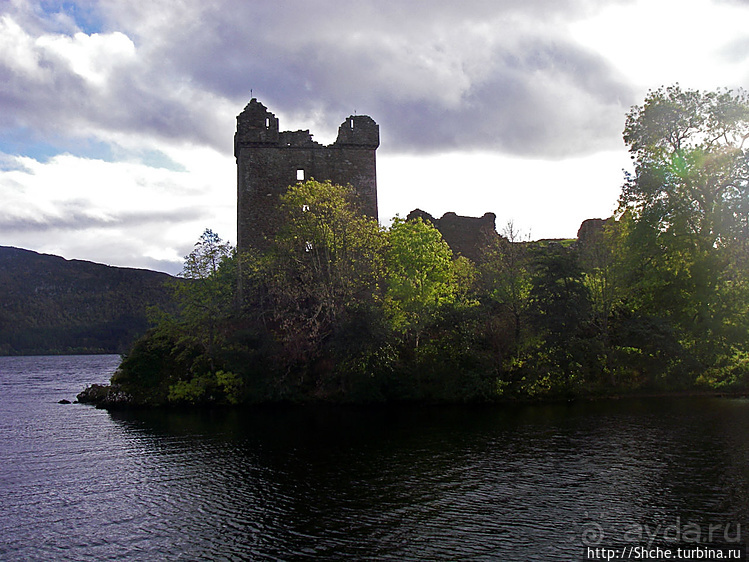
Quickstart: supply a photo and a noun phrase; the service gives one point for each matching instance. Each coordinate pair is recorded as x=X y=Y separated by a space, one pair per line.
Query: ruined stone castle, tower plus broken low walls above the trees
x=270 y=160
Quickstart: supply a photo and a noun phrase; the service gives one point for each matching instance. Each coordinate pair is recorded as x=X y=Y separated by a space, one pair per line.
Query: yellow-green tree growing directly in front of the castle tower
x=322 y=267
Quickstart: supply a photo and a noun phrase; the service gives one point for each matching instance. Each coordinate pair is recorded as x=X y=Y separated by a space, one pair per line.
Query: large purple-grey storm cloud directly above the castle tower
x=443 y=75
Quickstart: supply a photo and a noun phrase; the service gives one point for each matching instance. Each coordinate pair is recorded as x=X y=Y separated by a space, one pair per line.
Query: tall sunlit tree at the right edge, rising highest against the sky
x=688 y=200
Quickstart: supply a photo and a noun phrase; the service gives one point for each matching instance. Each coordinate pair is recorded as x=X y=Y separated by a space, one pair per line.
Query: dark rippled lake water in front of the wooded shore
x=457 y=483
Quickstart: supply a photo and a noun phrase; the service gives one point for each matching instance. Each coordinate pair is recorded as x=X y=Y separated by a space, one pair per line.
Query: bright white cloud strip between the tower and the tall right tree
x=545 y=199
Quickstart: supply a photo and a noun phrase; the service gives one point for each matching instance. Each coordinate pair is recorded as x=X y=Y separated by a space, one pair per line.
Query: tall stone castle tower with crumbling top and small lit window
x=268 y=161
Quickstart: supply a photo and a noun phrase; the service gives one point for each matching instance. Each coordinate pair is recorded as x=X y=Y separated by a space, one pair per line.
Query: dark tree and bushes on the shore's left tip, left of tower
x=177 y=360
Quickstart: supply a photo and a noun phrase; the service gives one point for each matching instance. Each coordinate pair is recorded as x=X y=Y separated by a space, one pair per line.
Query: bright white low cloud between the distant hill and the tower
x=117 y=212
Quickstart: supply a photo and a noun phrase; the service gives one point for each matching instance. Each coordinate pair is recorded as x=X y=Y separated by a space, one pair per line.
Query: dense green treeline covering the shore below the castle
x=337 y=308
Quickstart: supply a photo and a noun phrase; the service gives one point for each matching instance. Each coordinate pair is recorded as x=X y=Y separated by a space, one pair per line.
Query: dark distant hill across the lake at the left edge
x=50 y=305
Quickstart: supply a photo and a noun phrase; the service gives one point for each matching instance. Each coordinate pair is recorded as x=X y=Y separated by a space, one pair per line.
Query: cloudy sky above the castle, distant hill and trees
x=117 y=117
